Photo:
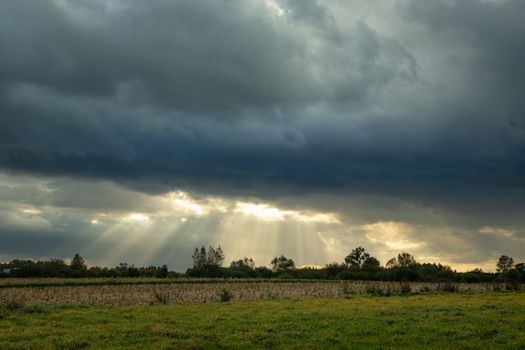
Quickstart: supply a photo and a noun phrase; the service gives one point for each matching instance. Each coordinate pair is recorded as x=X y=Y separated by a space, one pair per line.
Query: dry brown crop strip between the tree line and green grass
x=209 y=292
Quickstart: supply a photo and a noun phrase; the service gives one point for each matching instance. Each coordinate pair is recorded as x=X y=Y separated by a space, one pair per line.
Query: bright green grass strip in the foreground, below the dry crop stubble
x=441 y=321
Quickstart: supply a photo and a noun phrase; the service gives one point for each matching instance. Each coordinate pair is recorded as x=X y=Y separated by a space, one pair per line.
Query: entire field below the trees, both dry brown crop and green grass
x=182 y=313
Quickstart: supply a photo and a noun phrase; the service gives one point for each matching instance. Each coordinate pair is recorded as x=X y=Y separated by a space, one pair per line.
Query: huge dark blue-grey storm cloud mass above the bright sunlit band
x=238 y=98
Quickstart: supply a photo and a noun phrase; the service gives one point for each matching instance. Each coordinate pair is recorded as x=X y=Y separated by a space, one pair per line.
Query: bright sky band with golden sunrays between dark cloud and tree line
x=154 y=228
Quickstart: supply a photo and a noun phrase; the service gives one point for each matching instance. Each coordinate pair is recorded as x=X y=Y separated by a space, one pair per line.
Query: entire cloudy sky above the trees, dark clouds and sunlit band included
x=134 y=131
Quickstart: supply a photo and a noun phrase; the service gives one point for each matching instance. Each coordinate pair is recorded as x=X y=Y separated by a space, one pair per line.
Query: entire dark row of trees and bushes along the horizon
x=208 y=262
